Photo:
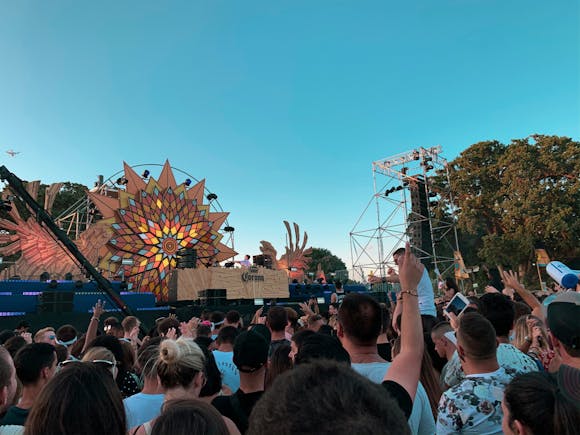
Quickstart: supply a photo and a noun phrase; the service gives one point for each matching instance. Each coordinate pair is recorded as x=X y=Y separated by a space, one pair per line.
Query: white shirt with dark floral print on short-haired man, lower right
x=474 y=405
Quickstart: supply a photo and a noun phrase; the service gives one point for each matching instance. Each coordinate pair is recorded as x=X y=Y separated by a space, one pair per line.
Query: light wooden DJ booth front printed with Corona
x=240 y=283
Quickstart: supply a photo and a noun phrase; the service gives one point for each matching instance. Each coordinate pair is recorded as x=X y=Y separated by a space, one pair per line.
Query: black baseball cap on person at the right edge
x=563 y=318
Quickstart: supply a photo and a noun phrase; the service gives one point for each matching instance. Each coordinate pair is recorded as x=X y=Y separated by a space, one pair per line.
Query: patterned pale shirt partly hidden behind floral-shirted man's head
x=508 y=357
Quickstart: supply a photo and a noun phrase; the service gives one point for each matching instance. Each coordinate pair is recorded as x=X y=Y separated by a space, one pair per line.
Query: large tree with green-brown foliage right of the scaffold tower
x=514 y=196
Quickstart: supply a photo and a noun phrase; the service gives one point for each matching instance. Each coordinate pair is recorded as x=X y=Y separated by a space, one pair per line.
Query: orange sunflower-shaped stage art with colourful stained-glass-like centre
x=151 y=222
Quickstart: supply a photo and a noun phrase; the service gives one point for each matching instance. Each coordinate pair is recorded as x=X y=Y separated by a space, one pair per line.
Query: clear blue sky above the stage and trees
x=281 y=106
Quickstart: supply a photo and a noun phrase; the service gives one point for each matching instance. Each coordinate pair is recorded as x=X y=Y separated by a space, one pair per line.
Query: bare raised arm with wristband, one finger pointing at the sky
x=406 y=367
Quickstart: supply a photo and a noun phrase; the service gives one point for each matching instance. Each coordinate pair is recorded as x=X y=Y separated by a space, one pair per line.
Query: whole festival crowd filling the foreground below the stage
x=507 y=364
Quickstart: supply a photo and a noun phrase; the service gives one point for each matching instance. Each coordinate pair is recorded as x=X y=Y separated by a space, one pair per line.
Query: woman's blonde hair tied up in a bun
x=179 y=361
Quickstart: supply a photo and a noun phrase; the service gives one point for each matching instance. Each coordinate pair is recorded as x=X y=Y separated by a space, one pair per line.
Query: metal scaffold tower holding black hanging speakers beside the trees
x=407 y=204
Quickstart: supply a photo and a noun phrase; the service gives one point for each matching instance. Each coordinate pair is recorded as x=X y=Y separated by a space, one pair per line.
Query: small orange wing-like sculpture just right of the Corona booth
x=296 y=258
